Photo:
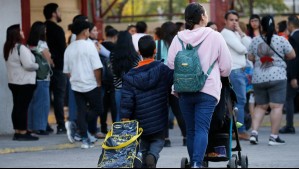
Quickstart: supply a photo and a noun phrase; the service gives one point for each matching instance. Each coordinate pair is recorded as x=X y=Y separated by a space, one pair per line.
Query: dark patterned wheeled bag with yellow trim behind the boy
x=121 y=146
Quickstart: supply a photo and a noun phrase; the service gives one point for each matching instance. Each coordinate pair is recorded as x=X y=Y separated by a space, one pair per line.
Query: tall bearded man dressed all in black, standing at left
x=57 y=45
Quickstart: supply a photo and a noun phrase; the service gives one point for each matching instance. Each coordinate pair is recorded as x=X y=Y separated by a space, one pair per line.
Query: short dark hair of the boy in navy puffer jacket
x=147 y=46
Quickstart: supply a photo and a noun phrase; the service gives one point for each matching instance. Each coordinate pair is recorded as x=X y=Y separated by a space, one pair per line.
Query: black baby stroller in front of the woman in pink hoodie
x=223 y=126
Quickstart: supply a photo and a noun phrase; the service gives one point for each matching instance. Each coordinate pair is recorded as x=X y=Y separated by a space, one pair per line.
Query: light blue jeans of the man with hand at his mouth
x=238 y=81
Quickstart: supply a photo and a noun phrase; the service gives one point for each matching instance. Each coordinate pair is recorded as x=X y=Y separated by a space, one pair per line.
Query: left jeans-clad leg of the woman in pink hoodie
x=188 y=111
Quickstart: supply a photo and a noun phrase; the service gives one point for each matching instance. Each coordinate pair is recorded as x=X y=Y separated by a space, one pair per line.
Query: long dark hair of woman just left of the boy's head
x=124 y=57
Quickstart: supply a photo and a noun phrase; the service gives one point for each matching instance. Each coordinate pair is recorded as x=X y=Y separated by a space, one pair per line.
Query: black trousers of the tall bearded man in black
x=58 y=87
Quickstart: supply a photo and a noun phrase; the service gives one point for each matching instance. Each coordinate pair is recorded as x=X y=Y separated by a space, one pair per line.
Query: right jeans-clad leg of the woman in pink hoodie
x=204 y=108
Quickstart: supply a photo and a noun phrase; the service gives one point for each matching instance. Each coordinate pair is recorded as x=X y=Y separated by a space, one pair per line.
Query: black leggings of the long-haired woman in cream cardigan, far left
x=22 y=95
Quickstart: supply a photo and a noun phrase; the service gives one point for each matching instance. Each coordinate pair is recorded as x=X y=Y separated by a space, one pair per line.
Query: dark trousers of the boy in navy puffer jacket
x=153 y=145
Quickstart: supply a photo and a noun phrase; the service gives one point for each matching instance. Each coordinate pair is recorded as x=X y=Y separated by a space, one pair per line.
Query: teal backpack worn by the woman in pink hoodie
x=188 y=74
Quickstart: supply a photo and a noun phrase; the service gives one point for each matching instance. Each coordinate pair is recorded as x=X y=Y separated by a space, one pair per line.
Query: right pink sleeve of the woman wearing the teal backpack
x=224 y=59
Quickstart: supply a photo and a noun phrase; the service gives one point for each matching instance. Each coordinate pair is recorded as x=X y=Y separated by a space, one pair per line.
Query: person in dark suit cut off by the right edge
x=293 y=74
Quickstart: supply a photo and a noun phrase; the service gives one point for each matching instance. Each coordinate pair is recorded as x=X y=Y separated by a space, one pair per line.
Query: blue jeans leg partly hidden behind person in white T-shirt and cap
x=72 y=104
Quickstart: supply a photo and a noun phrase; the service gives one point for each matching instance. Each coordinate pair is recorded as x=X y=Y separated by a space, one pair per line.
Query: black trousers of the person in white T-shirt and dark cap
x=88 y=115
